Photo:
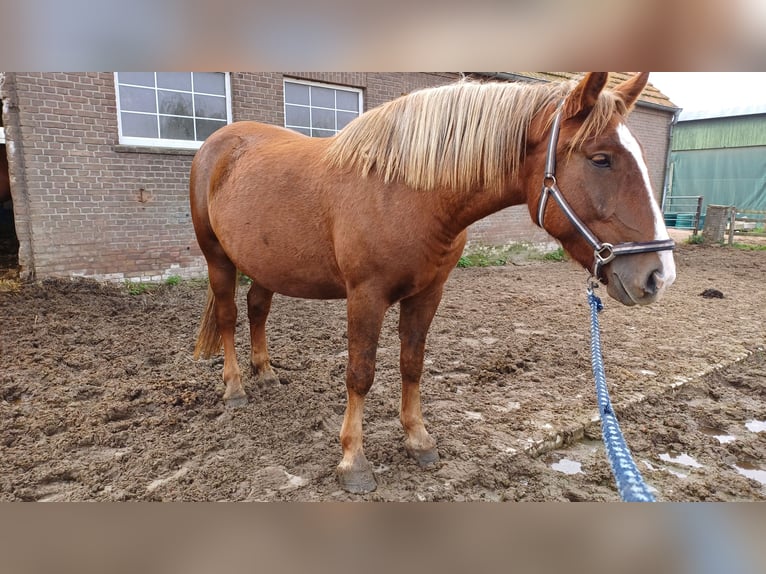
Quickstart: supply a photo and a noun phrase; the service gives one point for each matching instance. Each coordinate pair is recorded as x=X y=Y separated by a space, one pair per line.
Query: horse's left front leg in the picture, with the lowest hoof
x=365 y=318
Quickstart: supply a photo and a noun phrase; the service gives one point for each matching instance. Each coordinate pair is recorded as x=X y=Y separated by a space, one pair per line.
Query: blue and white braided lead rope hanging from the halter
x=630 y=483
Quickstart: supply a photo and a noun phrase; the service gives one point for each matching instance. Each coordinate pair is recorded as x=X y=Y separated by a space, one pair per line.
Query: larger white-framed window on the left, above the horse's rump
x=171 y=109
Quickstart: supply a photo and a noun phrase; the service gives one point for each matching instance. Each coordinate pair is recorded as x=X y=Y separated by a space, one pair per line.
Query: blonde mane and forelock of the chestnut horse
x=463 y=135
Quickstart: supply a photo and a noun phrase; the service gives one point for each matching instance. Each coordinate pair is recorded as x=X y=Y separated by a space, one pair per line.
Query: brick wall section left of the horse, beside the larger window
x=96 y=208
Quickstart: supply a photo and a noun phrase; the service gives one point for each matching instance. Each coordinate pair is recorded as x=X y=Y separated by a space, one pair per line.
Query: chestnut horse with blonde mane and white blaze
x=378 y=214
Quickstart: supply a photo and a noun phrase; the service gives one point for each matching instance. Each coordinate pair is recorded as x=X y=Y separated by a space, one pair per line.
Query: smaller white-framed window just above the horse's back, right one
x=319 y=110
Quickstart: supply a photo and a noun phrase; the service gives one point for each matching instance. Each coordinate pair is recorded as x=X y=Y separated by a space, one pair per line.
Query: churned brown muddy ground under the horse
x=100 y=398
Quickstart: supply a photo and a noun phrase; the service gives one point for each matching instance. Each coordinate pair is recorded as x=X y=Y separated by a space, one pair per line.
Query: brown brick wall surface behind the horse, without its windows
x=86 y=205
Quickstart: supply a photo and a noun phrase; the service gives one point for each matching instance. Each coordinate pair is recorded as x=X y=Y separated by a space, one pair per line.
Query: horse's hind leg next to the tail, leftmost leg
x=223 y=282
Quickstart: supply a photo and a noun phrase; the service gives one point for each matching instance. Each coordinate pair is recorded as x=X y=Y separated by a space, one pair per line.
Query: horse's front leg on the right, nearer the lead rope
x=416 y=314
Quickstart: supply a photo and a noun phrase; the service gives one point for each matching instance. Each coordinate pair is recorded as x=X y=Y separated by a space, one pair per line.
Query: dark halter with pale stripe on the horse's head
x=603 y=252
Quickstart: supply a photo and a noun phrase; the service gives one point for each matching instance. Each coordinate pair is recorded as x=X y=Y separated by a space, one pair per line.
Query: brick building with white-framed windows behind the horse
x=99 y=162
